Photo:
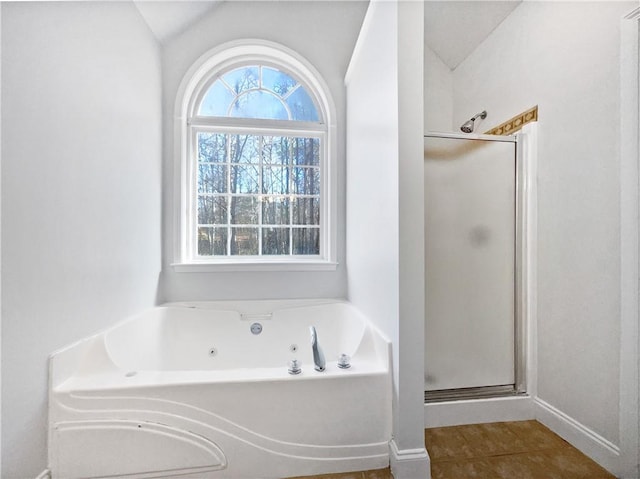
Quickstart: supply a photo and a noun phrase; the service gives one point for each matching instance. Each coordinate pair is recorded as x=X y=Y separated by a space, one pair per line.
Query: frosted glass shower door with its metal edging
x=475 y=336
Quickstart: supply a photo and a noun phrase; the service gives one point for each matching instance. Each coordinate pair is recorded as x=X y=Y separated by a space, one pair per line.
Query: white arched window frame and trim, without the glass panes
x=187 y=124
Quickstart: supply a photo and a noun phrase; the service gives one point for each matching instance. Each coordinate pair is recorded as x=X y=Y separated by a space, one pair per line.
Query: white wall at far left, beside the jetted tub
x=80 y=194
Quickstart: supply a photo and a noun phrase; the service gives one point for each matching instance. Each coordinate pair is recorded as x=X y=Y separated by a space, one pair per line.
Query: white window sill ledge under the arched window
x=236 y=266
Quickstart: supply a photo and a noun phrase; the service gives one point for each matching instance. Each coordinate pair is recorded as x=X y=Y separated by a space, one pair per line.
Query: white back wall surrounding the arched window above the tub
x=322 y=32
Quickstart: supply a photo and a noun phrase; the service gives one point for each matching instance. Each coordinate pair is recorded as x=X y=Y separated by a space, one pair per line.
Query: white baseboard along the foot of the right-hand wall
x=601 y=450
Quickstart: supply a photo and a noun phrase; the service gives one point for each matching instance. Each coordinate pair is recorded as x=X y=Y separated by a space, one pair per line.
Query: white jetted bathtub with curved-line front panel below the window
x=197 y=389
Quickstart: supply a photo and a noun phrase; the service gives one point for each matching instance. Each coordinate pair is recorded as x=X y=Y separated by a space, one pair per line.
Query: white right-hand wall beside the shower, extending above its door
x=565 y=58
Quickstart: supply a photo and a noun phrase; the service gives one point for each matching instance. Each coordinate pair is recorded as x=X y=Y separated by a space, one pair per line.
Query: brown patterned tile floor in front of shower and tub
x=501 y=450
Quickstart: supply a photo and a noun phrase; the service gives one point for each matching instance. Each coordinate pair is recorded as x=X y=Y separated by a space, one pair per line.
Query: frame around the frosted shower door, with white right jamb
x=524 y=279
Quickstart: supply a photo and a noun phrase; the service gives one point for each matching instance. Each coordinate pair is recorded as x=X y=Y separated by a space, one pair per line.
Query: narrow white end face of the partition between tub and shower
x=411 y=229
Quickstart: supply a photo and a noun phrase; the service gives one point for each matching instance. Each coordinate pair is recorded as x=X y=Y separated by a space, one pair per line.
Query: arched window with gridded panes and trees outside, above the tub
x=256 y=156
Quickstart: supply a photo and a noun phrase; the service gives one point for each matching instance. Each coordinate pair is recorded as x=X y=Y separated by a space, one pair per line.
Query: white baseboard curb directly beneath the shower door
x=476 y=411
